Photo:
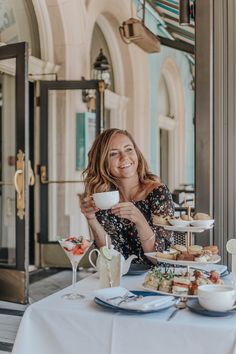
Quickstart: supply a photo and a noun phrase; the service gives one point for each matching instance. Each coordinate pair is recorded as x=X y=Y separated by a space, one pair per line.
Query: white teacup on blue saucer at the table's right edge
x=216 y=297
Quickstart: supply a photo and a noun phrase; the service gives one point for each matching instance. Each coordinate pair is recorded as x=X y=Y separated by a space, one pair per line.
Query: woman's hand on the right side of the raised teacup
x=127 y=210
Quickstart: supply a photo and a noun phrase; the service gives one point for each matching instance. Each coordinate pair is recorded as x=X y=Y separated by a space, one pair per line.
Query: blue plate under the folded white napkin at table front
x=136 y=292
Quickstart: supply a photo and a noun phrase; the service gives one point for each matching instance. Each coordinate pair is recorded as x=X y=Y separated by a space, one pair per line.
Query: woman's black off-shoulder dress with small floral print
x=123 y=233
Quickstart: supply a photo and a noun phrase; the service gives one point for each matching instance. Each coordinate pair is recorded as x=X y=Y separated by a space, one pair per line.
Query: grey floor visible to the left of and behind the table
x=11 y=314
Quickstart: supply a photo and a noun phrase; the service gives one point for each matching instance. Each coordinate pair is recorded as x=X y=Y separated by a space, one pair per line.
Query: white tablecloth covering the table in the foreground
x=58 y=326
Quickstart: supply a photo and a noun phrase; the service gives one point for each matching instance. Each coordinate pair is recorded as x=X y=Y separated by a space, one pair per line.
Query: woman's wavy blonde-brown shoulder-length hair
x=97 y=177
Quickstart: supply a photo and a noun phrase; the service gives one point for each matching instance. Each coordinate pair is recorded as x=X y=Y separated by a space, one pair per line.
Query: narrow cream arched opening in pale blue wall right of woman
x=171 y=125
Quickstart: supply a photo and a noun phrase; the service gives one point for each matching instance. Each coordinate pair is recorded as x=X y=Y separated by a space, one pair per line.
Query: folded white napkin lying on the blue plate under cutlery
x=114 y=295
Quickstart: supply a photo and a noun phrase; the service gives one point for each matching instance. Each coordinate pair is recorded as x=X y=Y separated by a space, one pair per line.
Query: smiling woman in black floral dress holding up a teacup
x=115 y=162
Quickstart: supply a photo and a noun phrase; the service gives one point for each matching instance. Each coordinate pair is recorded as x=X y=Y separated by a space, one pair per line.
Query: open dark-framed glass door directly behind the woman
x=71 y=114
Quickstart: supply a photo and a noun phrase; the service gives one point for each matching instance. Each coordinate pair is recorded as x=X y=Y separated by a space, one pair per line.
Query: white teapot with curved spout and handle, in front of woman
x=111 y=255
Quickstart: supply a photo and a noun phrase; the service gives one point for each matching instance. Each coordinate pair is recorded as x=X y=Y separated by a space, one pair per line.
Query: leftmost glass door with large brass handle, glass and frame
x=14 y=152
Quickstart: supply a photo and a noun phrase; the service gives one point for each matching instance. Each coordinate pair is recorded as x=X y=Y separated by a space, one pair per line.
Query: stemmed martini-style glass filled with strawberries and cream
x=75 y=249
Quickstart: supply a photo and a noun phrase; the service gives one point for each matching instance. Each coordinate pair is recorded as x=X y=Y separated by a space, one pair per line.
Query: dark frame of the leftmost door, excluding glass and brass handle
x=14 y=280
